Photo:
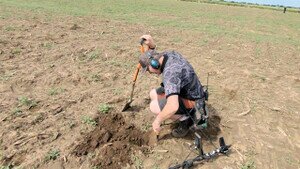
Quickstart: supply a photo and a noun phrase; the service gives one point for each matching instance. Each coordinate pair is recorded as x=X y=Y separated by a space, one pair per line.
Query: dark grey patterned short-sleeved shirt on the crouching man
x=179 y=77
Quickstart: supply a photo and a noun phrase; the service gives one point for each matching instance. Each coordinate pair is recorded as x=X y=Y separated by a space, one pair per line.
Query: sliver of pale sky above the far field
x=293 y=3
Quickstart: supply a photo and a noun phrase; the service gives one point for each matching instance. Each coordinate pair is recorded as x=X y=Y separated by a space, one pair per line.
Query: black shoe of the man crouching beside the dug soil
x=183 y=128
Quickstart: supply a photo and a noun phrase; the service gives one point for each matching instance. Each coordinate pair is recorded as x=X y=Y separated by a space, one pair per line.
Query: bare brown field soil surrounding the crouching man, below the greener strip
x=67 y=66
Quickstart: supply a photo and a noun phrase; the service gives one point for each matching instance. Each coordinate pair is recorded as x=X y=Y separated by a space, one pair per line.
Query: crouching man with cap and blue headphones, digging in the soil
x=180 y=90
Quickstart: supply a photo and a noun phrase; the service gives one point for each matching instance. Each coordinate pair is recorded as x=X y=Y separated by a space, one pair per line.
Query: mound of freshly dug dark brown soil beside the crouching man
x=112 y=142
